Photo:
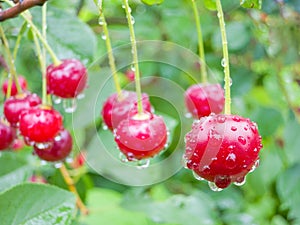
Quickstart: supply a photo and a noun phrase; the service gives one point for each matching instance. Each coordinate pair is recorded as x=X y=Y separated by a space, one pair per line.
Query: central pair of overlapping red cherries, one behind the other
x=139 y=136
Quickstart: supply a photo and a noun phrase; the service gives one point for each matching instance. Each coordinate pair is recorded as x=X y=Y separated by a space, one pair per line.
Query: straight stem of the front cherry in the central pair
x=135 y=57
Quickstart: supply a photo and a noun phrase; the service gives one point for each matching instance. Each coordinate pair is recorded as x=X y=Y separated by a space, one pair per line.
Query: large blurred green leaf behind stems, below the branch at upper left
x=67 y=35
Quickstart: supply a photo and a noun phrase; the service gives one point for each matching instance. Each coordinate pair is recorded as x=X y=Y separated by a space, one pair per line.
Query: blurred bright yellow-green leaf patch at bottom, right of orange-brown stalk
x=104 y=206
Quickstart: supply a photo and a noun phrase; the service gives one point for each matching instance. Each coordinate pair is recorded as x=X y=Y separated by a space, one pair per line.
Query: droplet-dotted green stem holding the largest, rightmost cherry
x=225 y=60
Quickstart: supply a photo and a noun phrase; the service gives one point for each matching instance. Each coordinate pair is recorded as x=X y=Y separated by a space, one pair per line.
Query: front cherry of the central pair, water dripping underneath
x=141 y=137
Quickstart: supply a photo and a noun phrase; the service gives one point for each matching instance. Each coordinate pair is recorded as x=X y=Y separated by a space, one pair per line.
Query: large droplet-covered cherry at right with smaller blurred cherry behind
x=220 y=148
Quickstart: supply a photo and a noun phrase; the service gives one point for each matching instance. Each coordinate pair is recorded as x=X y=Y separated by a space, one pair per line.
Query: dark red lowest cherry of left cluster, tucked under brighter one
x=59 y=150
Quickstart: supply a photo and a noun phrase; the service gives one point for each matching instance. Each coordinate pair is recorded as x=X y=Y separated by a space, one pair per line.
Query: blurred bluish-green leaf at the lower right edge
x=288 y=185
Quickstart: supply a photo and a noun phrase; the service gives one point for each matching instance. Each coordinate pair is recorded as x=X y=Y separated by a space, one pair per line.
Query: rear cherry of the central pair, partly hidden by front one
x=115 y=110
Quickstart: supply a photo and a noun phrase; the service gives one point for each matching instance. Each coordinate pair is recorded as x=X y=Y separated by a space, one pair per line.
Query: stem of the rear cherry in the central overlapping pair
x=111 y=58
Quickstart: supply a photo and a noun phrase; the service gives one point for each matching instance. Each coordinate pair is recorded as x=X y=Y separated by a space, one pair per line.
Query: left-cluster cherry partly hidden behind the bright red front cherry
x=14 y=105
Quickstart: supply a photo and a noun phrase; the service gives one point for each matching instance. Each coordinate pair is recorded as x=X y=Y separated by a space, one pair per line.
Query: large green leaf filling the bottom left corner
x=35 y=204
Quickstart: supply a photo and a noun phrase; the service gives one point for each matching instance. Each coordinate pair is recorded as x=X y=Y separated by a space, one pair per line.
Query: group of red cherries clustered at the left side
x=38 y=123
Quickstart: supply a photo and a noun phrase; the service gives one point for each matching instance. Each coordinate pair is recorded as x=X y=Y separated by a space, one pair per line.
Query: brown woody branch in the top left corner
x=19 y=8
